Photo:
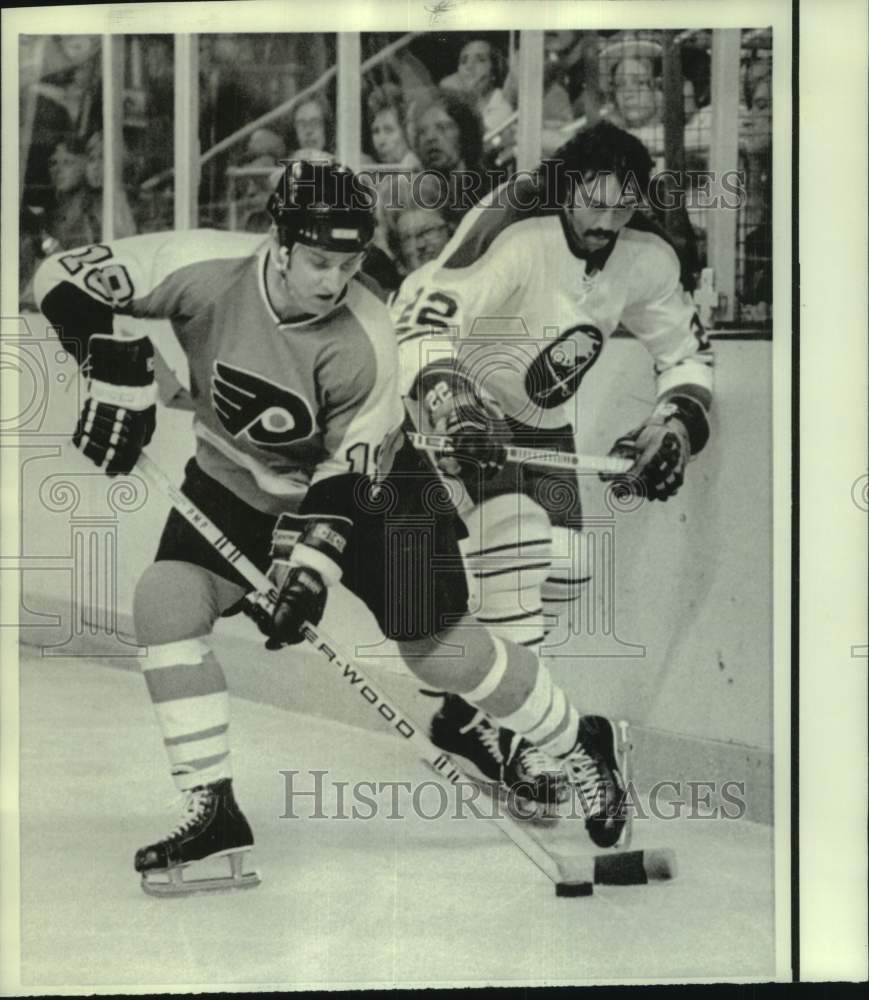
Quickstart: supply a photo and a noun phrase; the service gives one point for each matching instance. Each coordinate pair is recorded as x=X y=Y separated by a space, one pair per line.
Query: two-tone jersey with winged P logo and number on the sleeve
x=279 y=407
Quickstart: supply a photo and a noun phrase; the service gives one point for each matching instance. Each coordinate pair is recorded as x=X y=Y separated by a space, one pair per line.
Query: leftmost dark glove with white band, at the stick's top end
x=119 y=415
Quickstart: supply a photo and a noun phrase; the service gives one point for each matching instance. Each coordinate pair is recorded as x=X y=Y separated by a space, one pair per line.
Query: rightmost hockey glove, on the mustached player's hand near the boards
x=660 y=448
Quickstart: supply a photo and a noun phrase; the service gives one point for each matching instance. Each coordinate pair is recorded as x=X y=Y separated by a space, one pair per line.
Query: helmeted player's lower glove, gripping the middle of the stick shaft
x=307 y=555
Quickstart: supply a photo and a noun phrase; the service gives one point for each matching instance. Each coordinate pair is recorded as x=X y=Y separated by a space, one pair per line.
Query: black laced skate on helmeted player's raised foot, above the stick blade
x=593 y=769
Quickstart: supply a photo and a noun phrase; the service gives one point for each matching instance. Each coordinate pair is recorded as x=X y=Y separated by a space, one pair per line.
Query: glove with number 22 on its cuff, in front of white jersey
x=475 y=423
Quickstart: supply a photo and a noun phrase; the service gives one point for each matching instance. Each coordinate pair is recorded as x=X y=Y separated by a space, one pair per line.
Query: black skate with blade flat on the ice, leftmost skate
x=212 y=828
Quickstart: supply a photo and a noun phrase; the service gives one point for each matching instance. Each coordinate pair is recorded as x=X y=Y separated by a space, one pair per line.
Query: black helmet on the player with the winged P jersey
x=325 y=205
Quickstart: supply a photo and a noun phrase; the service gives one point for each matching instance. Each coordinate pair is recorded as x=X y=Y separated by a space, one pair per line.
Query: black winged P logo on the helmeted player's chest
x=269 y=415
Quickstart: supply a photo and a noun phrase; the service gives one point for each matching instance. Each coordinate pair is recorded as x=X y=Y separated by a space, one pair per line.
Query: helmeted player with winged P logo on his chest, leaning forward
x=294 y=386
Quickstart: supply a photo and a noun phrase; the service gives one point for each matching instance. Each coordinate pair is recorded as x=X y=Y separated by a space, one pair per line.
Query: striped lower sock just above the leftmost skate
x=188 y=690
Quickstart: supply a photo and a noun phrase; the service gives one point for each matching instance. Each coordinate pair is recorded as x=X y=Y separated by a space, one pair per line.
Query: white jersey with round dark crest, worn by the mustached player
x=527 y=314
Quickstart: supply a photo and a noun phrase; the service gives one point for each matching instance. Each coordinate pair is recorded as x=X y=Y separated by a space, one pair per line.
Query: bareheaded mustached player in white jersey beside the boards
x=519 y=305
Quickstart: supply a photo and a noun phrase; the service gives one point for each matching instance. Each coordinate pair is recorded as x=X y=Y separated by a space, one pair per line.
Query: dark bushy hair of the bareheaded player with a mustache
x=601 y=148
